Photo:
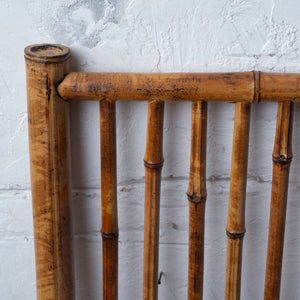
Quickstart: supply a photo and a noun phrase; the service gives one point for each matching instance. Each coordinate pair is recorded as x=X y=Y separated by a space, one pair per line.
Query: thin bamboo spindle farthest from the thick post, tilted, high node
x=282 y=157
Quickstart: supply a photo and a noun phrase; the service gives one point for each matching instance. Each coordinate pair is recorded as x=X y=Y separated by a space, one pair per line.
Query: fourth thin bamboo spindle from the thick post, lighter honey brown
x=236 y=213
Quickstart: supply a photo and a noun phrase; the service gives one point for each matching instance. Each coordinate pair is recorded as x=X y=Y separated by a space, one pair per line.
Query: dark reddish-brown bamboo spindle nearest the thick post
x=109 y=230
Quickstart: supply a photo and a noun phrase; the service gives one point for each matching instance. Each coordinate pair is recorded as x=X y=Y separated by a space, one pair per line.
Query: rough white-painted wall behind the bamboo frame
x=149 y=36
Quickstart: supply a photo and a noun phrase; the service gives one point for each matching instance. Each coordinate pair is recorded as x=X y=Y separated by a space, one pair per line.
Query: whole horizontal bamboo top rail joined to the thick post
x=250 y=87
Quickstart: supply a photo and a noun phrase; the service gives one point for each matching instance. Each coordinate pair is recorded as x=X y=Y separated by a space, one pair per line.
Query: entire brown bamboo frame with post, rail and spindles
x=49 y=85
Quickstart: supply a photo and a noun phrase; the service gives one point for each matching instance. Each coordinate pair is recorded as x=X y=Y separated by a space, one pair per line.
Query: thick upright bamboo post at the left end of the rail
x=46 y=65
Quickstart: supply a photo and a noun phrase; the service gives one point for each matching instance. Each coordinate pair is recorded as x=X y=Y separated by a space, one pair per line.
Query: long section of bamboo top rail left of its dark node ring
x=162 y=86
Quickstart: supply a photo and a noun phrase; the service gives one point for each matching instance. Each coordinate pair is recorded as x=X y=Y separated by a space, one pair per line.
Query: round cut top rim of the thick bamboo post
x=47 y=53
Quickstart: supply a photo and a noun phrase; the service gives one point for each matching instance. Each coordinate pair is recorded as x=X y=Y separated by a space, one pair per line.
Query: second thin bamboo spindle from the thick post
x=153 y=161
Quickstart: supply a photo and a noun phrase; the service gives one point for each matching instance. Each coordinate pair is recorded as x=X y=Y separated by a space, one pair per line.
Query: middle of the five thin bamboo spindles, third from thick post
x=197 y=197
